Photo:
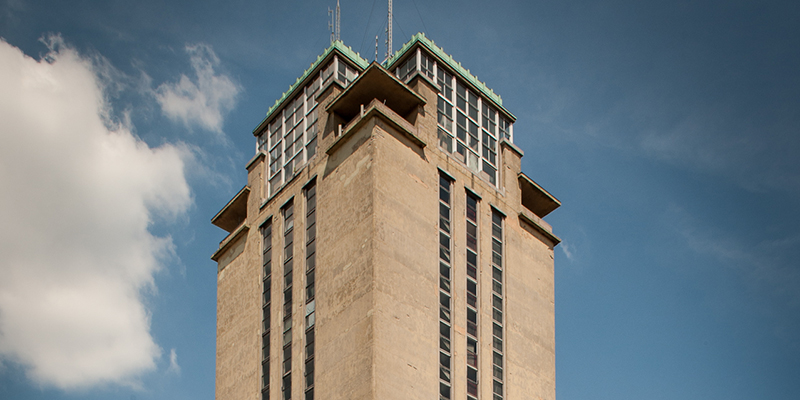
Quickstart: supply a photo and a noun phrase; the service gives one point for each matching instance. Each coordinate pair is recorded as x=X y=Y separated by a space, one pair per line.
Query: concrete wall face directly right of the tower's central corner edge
x=406 y=270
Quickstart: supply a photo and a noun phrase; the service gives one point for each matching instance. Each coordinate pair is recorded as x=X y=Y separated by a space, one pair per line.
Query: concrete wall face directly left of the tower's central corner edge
x=345 y=273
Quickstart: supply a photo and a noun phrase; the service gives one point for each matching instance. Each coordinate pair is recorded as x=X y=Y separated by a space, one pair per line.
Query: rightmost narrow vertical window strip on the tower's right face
x=497 y=305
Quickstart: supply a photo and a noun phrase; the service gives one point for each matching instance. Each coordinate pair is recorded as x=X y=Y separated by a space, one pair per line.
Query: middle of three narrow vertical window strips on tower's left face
x=288 y=260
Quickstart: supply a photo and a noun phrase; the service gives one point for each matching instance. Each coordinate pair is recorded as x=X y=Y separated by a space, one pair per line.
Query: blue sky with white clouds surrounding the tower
x=669 y=131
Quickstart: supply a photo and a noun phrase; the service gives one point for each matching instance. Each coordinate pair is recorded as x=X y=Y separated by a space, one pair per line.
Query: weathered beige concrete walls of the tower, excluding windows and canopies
x=377 y=274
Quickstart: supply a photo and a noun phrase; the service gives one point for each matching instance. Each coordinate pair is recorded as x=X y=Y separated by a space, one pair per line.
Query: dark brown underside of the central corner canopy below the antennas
x=376 y=83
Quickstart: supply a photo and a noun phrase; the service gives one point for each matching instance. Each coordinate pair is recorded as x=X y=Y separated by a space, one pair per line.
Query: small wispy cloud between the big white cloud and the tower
x=202 y=102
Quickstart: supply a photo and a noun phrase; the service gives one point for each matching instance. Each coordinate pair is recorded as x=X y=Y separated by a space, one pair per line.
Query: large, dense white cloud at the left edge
x=78 y=195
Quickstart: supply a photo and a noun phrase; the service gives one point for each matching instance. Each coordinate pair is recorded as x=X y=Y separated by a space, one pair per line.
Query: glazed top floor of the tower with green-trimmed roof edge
x=471 y=120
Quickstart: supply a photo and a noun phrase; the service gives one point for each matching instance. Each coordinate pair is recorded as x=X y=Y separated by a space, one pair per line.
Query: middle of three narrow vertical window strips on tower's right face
x=472 y=297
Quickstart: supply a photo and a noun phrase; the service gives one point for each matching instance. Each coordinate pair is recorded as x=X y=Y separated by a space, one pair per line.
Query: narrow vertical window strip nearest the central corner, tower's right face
x=445 y=294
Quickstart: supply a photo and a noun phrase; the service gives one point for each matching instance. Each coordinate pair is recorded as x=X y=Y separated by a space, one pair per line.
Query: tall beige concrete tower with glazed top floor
x=387 y=244
